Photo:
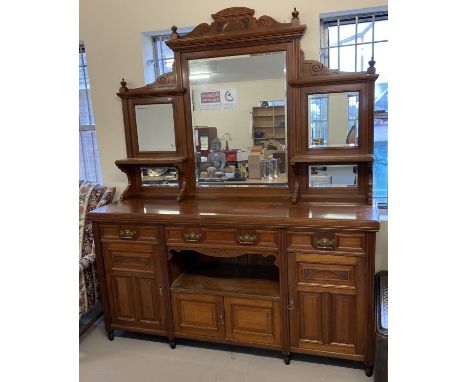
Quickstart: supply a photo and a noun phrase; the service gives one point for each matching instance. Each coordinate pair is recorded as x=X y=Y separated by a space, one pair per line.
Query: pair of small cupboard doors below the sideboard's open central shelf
x=249 y=320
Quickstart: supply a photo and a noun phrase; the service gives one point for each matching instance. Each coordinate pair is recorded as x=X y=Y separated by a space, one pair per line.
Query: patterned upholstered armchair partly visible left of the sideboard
x=92 y=196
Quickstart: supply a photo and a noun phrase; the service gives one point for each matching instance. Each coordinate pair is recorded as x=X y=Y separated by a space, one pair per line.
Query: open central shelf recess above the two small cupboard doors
x=230 y=279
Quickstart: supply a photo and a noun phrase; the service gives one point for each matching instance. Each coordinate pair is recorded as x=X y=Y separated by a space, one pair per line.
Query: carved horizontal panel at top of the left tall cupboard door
x=129 y=257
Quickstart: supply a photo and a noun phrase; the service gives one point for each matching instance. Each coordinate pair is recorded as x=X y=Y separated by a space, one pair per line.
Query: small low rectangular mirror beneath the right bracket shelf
x=333 y=176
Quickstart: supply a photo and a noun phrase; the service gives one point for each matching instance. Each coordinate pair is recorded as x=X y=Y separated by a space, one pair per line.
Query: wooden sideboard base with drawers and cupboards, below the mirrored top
x=320 y=303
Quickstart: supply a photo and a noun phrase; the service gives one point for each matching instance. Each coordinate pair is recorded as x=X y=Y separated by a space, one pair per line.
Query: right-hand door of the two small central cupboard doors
x=252 y=320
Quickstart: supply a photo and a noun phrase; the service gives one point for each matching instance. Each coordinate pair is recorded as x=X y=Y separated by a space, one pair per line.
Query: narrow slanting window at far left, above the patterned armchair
x=89 y=157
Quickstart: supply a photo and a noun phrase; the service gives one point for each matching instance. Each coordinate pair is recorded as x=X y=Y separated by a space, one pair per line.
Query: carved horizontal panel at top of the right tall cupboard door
x=325 y=269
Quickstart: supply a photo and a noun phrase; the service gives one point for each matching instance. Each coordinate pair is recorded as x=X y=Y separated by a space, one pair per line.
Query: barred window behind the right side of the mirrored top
x=348 y=42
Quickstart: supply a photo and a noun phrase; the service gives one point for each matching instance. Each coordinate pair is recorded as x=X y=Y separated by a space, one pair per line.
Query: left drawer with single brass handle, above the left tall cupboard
x=128 y=232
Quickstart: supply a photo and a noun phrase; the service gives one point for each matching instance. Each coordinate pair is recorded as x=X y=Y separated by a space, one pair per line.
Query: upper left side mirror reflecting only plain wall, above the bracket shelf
x=155 y=127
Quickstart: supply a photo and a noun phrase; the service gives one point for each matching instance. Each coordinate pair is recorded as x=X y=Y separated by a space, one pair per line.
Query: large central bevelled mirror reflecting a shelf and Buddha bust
x=239 y=120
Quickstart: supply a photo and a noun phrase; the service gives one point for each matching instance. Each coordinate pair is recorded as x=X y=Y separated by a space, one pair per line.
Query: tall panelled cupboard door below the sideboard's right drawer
x=328 y=303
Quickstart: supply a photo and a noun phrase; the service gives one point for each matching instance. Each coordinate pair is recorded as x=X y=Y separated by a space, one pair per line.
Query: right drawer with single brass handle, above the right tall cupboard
x=327 y=241
